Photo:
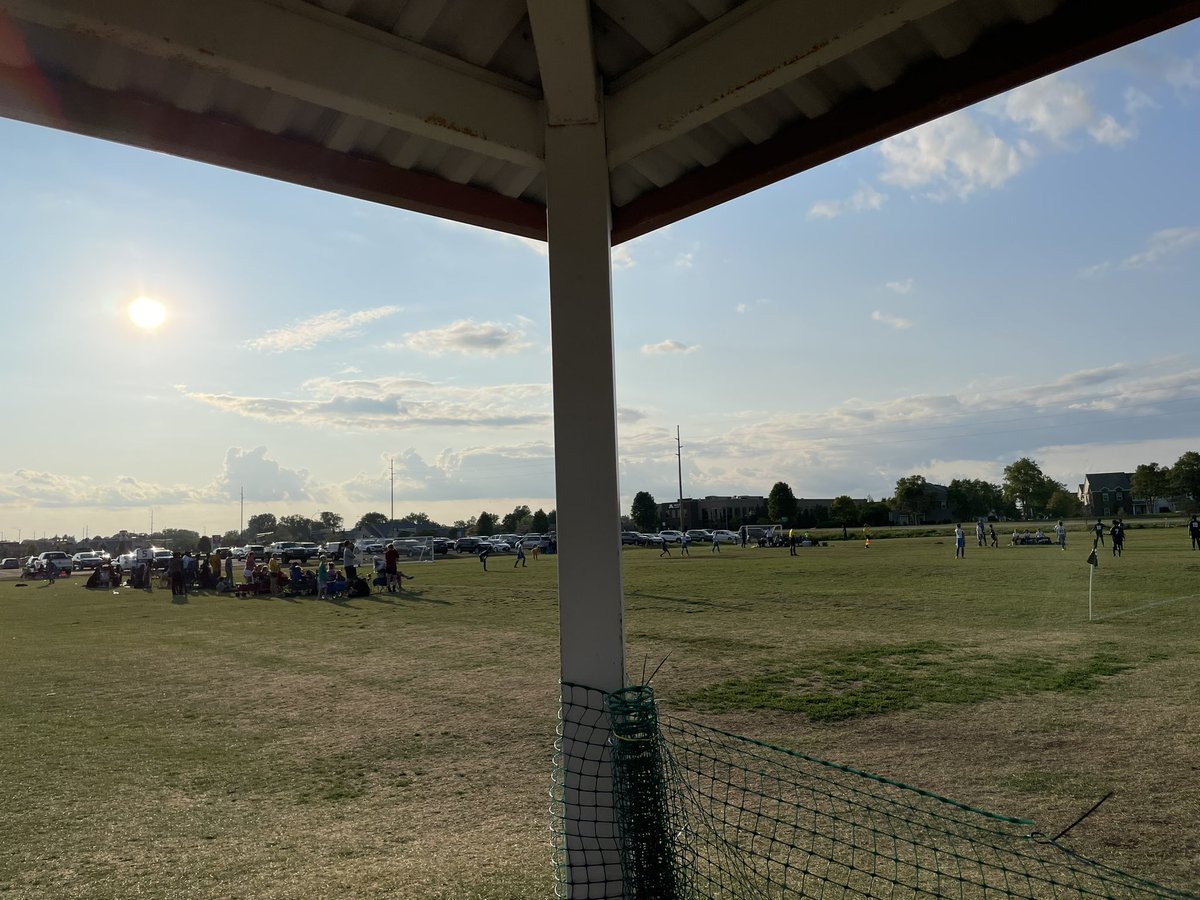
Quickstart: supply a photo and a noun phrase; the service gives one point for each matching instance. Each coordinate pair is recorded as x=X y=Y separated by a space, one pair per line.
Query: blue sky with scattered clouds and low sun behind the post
x=1019 y=279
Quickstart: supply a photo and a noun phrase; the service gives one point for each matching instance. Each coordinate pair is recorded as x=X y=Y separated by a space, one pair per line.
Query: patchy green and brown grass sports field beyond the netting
x=400 y=746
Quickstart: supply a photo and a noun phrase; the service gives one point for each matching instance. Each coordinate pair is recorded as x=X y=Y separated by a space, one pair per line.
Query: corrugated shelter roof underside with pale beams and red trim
x=442 y=106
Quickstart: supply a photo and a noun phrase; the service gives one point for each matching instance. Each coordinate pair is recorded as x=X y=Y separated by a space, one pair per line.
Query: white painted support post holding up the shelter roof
x=590 y=571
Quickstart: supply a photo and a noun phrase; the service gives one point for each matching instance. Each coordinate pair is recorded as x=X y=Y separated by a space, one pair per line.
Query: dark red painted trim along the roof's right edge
x=1000 y=62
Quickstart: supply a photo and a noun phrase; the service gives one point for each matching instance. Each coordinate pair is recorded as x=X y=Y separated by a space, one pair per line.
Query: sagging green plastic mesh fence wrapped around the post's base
x=705 y=815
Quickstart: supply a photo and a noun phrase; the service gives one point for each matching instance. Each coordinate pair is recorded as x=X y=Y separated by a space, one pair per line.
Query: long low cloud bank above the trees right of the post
x=860 y=448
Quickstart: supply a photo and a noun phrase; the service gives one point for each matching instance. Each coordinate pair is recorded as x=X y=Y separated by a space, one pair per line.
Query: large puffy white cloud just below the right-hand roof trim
x=952 y=157
